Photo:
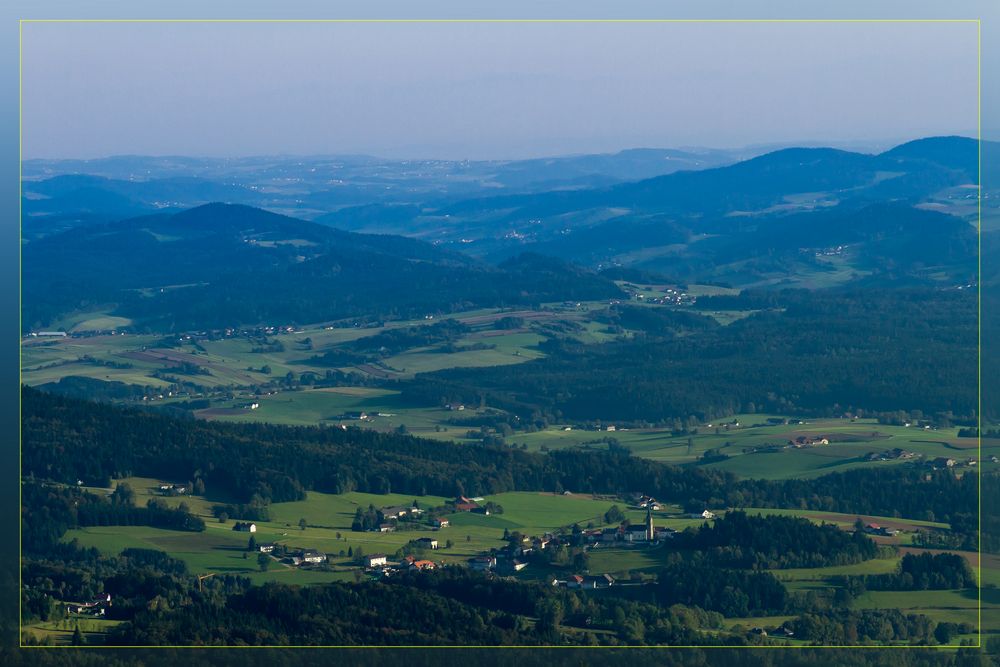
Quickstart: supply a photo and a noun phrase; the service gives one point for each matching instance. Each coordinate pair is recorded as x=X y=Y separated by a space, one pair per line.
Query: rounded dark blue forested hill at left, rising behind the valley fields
x=225 y=265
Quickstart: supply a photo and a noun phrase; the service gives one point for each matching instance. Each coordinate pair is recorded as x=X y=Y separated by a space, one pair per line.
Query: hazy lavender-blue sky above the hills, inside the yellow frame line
x=461 y=90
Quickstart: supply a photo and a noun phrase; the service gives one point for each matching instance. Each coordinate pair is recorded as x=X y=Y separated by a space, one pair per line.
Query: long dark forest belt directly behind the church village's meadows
x=65 y=440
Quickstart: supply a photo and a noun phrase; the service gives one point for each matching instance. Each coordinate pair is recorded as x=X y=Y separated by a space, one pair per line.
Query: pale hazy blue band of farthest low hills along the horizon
x=62 y=193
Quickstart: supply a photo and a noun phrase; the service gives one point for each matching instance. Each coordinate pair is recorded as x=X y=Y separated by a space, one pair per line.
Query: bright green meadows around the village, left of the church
x=220 y=549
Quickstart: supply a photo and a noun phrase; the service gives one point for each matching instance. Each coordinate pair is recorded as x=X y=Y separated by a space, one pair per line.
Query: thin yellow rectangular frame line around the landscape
x=979 y=299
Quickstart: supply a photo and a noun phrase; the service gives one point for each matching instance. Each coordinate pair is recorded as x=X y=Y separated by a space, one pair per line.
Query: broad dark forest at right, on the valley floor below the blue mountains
x=818 y=352
